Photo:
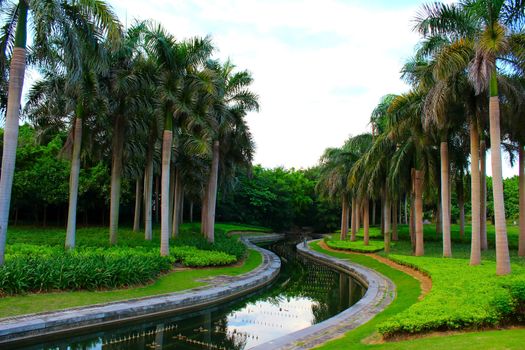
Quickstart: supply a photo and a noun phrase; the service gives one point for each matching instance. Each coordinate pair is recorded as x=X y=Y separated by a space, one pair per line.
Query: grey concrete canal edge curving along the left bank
x=18 y=328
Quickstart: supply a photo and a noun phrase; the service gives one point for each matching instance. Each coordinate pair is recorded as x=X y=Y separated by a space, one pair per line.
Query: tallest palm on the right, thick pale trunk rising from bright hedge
x=489 y=24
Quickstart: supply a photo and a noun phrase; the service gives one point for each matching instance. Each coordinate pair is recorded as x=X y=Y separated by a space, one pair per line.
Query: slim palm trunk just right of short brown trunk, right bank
x=445 y=200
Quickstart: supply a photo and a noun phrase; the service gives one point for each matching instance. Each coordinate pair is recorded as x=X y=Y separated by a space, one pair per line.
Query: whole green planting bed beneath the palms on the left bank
x=37 y=262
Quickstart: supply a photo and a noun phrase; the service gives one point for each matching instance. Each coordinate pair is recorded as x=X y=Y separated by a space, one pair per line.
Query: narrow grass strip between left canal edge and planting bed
x=169 y=283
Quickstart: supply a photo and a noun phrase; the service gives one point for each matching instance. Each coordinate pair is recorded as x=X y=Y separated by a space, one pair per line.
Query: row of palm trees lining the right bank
x=467 y=93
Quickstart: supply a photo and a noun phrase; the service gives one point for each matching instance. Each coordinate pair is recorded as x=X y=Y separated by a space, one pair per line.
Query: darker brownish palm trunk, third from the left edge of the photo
x=116 y=177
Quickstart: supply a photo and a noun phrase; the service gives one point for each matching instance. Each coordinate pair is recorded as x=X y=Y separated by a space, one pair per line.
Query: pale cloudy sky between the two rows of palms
x=319 y=67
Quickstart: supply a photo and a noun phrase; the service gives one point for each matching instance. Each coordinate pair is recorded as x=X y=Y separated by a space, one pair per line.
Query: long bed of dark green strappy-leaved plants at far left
x=33 y=269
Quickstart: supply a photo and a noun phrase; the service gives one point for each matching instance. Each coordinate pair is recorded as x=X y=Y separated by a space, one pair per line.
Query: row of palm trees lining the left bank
x=139 y=97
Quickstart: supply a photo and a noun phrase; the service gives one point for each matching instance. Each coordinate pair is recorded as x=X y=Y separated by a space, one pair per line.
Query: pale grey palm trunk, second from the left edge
x=73 y=183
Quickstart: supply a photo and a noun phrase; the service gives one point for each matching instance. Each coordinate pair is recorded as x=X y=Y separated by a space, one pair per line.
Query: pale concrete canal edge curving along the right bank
x=381 y=291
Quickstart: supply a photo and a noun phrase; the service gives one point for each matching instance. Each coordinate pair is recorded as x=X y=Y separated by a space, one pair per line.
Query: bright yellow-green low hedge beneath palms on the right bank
x=462 y=296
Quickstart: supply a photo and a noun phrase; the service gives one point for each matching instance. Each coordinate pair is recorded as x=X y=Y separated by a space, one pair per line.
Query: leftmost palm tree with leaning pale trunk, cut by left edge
x=49 y=19
